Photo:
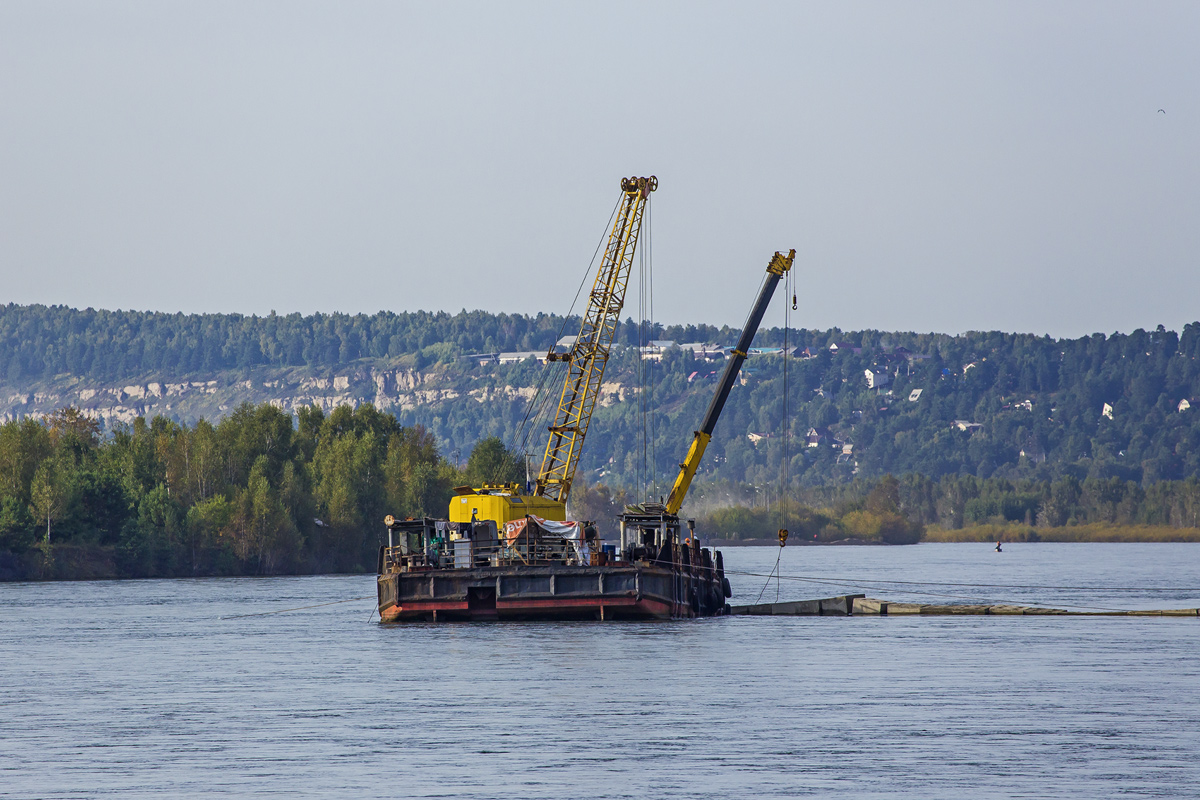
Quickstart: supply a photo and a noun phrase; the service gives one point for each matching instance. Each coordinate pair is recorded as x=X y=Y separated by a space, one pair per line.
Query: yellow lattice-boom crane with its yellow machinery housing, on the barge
x=586 y=363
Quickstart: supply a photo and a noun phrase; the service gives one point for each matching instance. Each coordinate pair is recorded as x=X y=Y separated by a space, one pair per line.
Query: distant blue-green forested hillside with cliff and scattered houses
x=991 y=405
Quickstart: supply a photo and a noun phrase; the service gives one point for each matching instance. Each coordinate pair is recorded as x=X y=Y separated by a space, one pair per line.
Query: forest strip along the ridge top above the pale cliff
x=45 y=341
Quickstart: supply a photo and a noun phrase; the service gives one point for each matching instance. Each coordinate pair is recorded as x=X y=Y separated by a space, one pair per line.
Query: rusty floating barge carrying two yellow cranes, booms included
x=503 y=555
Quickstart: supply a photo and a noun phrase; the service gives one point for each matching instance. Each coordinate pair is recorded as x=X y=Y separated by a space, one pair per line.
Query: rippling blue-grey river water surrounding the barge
x=159 y=689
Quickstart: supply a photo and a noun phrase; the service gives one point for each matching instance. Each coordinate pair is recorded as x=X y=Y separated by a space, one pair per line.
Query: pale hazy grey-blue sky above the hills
x=937 y=166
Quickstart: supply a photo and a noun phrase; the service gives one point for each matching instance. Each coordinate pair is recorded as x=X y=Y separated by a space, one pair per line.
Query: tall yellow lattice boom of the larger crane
x=590 y=354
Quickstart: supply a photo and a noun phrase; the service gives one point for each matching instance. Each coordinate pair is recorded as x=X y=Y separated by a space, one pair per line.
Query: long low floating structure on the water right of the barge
x=865 y=606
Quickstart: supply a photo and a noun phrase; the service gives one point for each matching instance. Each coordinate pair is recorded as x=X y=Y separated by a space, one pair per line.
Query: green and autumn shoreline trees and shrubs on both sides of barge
x=267 y=492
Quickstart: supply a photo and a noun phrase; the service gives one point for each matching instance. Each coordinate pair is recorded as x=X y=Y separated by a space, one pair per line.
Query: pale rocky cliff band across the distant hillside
x=388 y=388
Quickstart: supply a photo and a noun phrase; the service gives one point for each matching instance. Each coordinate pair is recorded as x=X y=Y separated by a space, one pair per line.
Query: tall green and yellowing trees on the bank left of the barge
x=261 y=492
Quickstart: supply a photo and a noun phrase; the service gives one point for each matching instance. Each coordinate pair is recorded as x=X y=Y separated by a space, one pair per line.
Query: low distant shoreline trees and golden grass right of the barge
x=901 y=510
